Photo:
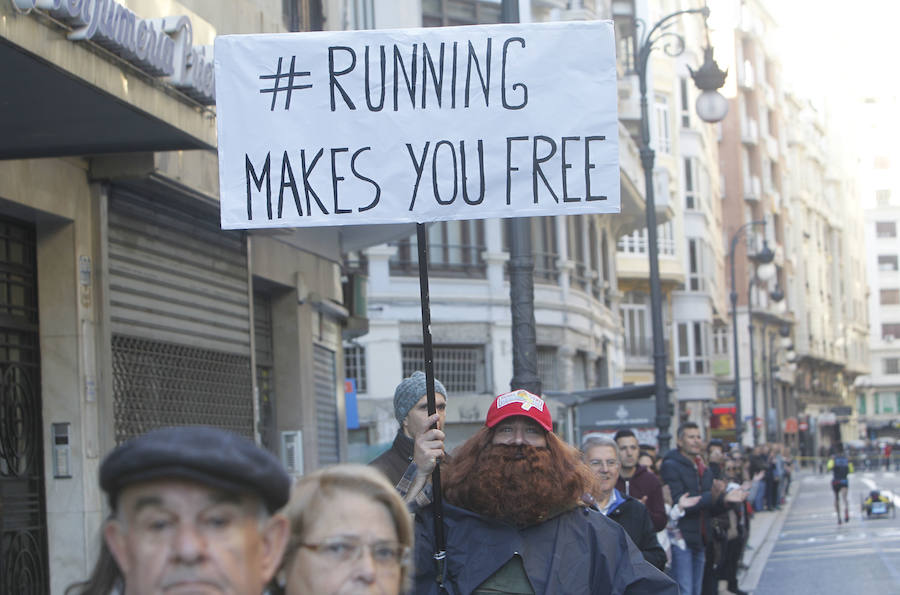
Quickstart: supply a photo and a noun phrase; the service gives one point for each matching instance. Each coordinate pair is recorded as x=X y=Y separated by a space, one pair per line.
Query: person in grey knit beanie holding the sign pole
x=411 y=411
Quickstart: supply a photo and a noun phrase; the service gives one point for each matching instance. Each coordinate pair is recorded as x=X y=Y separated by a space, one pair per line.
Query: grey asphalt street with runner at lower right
x=810 y=553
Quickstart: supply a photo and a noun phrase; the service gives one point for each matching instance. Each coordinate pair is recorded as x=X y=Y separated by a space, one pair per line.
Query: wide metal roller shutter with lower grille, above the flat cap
x=180 y=318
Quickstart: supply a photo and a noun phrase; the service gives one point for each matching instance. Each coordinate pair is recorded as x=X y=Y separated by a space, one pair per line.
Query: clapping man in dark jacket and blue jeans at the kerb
x=684 y=471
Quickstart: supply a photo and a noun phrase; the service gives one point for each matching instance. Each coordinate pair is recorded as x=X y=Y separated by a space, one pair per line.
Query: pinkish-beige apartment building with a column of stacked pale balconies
x=752 y=151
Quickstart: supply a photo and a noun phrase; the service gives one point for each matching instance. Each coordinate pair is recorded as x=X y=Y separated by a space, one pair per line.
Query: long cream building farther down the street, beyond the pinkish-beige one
x=827 y=291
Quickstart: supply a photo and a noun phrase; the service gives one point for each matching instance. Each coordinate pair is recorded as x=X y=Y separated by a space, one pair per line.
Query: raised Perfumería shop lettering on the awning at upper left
x=160 y=47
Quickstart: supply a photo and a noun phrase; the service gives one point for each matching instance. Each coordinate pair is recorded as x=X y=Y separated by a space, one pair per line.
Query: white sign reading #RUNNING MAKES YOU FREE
x=417 y=125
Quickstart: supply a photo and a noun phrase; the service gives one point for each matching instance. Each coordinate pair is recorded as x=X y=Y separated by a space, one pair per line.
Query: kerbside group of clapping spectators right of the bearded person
x=700 y=497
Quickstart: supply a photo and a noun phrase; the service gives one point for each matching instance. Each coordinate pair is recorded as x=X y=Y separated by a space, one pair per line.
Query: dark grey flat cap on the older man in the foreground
x=203 y=454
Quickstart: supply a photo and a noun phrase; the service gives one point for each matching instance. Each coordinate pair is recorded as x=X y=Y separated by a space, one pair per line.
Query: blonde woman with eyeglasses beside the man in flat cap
x=350 y=533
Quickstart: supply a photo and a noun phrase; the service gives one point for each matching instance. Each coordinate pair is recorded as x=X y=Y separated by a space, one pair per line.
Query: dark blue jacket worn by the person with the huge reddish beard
x=579 y=551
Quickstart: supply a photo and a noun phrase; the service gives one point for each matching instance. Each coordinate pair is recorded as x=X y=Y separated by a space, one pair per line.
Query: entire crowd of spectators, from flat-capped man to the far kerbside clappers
x=514 y=509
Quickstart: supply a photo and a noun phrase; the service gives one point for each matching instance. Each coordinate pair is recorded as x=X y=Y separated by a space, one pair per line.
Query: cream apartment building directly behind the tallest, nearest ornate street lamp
x=687 y=191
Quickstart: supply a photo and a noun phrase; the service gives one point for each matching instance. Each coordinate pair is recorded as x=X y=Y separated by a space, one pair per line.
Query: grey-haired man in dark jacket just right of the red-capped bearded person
x=601 y=453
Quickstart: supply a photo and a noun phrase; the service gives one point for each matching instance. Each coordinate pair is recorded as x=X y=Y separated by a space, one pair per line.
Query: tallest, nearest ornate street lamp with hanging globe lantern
x=711 y=107
